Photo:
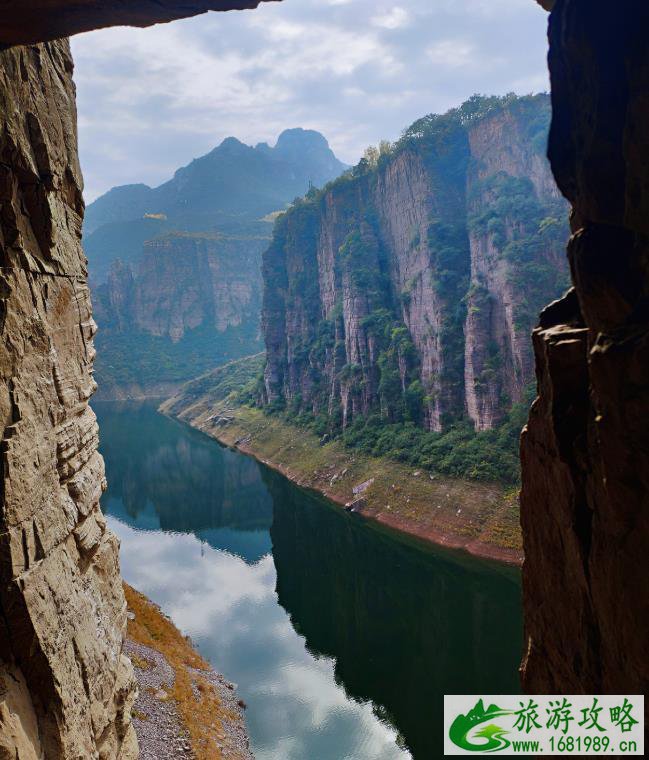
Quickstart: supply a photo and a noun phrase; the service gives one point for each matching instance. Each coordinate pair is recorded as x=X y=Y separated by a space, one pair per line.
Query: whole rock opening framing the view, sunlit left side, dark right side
x=67 y=688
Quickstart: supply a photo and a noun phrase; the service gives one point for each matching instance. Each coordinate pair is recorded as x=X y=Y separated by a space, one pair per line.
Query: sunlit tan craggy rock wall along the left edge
x=65 y=686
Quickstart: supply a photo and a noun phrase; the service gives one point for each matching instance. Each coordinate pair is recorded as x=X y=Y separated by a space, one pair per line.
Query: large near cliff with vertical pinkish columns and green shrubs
x=410 y=286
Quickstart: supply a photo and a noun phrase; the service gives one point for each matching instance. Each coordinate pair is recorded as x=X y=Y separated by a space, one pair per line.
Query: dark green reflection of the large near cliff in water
x=404 y=626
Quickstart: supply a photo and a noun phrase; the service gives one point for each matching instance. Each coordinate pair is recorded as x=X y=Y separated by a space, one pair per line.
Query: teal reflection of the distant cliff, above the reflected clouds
x=156 y=473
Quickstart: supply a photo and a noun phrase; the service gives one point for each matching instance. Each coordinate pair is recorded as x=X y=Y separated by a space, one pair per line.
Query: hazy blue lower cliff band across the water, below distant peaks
x=192 y=303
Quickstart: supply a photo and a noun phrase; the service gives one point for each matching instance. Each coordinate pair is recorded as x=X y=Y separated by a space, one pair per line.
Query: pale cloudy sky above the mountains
x=151 y=100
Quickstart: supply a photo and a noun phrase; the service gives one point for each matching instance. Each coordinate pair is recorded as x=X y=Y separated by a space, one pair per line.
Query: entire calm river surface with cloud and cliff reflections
x=341 y=637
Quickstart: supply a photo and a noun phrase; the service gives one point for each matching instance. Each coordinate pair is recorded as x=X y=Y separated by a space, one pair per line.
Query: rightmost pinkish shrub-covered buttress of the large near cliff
x=516 y=223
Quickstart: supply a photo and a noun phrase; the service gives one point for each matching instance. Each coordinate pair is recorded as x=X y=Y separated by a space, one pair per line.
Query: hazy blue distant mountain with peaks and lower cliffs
x=176 y=270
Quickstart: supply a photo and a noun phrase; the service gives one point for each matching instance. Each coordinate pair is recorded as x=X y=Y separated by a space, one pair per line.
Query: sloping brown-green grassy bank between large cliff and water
x=480 y=517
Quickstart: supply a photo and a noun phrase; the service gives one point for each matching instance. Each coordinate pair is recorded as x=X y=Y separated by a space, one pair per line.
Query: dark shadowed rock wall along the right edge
x=585 y=453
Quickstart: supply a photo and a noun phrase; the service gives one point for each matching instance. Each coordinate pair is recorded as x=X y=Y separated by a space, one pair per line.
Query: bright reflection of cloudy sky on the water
x=230 y=607
